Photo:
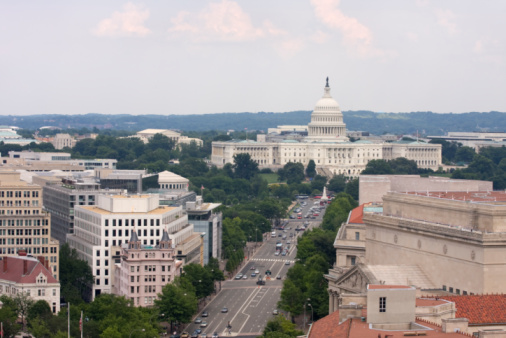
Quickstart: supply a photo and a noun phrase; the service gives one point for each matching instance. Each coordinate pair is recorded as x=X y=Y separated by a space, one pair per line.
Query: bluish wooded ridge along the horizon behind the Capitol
x=427 y=123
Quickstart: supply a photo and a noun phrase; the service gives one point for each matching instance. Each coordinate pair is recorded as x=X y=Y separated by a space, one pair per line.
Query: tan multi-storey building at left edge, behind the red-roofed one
x=24 y=224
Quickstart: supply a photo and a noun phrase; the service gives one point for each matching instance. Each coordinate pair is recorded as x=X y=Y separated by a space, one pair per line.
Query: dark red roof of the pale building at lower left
x=15 y=270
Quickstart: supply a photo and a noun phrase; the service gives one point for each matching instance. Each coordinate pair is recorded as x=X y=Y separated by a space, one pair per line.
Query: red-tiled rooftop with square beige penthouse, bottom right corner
x=390 y=313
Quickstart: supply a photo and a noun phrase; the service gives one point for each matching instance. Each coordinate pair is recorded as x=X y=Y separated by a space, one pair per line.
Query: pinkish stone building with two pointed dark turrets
x=144 y=270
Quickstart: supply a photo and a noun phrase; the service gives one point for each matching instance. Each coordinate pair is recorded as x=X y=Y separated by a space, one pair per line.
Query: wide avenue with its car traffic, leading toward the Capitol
x=248 y=299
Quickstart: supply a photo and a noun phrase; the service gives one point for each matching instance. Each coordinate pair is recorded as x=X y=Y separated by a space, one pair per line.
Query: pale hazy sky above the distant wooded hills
x=199 y=57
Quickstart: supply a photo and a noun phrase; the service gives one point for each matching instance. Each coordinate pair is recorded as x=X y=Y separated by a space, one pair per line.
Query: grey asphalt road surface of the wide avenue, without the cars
x=249 y=305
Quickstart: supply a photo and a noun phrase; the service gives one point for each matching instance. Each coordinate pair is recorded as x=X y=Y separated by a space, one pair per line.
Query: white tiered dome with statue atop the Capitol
x=327 y=120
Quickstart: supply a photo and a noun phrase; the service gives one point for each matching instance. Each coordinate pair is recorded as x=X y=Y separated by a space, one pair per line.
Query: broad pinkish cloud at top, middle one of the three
x=220 y=21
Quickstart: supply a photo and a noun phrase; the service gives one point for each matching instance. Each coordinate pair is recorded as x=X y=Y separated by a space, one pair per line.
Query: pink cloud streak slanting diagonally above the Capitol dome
x=356 y=36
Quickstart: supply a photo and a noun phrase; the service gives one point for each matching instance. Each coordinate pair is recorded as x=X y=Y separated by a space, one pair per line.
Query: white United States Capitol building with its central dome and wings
x=324 y=141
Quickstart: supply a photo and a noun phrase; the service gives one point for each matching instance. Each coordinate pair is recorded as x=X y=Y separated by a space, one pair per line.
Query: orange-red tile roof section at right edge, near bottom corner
x=480 y=309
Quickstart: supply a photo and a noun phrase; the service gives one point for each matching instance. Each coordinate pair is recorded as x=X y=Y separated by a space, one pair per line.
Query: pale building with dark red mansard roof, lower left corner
x=30 y=276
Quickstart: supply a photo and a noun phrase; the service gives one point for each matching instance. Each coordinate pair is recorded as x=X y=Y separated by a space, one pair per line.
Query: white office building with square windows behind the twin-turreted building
x=109 y=223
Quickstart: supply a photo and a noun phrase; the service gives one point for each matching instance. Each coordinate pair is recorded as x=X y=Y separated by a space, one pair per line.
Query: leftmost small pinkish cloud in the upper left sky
x=127 y=23
